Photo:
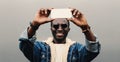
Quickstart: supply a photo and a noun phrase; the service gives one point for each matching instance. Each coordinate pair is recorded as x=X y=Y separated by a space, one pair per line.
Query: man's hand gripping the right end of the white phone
x=79 y=19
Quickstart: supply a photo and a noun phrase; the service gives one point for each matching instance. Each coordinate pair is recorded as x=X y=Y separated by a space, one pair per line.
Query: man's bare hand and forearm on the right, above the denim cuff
x=80 y=20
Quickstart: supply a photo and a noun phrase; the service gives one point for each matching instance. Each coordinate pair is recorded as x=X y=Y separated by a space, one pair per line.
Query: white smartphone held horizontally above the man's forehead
x=61 y=13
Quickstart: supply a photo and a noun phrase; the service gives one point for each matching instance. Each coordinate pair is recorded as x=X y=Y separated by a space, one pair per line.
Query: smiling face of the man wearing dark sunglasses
x=60 y=29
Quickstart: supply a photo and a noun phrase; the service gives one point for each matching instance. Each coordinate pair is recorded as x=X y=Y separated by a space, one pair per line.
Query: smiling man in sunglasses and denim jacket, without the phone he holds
x=59 y=48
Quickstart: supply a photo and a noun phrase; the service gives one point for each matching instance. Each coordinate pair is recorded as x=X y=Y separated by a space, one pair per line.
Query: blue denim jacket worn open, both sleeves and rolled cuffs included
x=36 y=51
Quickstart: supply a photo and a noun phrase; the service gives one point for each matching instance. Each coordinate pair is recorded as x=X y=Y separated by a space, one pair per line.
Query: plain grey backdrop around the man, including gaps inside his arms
x=102 y=15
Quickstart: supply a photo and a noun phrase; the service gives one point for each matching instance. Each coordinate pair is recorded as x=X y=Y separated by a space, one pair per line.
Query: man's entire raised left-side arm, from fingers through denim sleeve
x=27 y=38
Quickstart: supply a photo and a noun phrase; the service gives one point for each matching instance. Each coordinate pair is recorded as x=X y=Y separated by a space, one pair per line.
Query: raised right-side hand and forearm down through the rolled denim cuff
x=92 y=42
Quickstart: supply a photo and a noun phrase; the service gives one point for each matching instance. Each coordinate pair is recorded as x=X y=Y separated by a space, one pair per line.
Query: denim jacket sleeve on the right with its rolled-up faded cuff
x=89 y=51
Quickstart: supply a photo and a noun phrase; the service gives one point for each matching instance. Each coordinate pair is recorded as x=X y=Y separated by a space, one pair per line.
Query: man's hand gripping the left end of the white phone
x=41 y=17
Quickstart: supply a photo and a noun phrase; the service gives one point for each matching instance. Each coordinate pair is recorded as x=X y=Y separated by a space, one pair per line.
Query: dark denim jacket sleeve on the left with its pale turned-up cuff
x=26 y=45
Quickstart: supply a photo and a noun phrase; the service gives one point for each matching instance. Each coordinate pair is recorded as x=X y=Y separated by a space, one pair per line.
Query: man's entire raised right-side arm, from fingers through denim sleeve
x=92 y=47
